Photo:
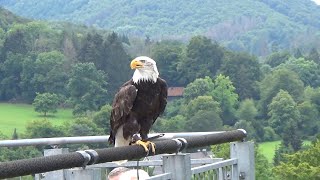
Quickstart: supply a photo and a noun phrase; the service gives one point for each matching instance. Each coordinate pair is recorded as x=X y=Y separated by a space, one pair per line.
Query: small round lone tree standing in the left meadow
x=46 y=102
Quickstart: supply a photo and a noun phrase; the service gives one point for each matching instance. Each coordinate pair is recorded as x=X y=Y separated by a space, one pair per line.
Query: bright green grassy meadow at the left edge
x=19 y=115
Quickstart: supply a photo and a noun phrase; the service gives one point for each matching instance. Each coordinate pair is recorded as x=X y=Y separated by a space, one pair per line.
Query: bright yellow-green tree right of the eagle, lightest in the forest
x=224 y=93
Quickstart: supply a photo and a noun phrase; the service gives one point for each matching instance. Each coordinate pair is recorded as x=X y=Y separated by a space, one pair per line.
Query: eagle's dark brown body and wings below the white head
x=136 y=107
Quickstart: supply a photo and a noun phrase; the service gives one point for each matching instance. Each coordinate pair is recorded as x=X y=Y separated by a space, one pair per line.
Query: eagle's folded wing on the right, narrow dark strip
x=162 y=98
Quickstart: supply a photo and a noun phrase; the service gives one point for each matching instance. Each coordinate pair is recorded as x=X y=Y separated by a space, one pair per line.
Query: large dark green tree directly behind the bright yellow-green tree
x=244 y=72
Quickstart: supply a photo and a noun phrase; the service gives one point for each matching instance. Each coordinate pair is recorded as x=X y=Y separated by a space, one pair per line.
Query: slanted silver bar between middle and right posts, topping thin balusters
x=212 y=166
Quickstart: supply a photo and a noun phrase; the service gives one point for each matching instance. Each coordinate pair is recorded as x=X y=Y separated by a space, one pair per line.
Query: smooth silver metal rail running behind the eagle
x=89 y=139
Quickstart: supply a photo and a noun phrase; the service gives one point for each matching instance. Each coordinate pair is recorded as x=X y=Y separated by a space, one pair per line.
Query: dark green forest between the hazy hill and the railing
x=276 y=97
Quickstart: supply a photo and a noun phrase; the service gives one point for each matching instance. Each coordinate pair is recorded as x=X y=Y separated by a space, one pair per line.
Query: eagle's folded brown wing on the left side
x=121 y=107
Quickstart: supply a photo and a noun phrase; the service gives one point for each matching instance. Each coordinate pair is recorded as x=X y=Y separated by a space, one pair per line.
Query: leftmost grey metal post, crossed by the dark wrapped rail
x=53 y=175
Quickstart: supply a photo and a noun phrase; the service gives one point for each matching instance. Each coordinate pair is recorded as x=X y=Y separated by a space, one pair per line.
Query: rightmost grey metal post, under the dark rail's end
x=244 y=152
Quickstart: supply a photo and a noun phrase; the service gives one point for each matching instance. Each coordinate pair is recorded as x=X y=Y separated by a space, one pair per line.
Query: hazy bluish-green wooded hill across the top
x=257 y=26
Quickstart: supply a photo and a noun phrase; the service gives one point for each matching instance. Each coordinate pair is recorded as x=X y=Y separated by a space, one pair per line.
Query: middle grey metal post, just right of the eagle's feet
x=179 y=165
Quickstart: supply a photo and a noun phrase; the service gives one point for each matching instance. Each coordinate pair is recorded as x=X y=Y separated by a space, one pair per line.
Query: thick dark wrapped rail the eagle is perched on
x=63 y=161
